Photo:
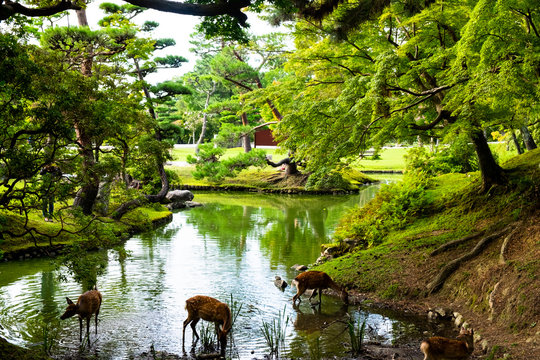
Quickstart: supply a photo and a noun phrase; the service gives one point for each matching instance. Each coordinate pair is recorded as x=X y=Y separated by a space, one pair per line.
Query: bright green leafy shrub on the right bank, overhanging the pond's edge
x=393 y=207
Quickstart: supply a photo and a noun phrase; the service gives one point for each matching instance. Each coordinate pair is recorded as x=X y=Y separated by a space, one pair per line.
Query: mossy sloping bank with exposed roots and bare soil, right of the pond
x=499 y=294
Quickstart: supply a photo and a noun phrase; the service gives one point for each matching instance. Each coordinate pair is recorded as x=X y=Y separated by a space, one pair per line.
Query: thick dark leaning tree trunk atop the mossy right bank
x=492 y=174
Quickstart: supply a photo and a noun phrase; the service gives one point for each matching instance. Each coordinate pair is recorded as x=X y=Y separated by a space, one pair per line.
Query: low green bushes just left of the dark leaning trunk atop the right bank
x=458 y=157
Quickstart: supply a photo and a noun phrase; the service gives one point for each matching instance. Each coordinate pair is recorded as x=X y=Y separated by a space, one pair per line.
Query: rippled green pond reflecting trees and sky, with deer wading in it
x=231 y=248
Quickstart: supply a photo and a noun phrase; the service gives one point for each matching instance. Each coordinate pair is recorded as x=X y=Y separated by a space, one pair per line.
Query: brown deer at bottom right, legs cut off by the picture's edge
x=440 y=348
